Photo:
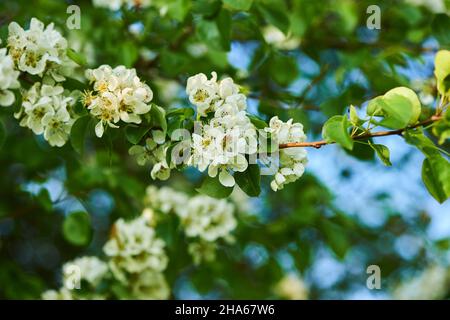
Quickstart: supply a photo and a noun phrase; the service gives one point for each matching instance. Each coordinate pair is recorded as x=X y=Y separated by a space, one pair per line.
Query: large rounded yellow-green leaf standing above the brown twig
x=399 y=108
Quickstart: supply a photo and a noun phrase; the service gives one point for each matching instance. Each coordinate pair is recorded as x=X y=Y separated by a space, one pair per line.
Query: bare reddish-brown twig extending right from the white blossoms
x=318 y=144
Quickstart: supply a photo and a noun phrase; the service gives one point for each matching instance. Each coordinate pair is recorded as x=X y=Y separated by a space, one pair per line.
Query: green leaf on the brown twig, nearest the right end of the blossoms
x=336 y=130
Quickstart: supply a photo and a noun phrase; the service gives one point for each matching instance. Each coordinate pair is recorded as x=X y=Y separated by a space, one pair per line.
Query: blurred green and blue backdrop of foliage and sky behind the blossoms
x=300 y=59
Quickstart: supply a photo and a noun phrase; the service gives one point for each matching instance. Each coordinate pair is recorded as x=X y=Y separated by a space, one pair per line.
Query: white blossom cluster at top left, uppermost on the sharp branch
x=39 y=50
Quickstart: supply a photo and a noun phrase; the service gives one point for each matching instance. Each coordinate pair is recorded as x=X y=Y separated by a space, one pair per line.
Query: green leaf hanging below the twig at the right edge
x=436 y=177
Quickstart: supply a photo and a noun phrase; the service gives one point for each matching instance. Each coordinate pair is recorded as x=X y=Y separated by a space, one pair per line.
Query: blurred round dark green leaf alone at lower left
x=77 y=228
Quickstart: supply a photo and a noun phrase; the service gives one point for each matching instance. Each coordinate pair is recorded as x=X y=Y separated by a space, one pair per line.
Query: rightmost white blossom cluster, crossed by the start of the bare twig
x=292 y=161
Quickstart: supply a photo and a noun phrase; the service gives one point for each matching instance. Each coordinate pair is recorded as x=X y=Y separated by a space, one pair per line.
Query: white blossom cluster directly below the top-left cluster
x=47 y=109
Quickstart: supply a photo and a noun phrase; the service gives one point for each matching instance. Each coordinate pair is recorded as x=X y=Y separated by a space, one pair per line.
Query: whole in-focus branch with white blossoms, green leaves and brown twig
x=220 y=136
